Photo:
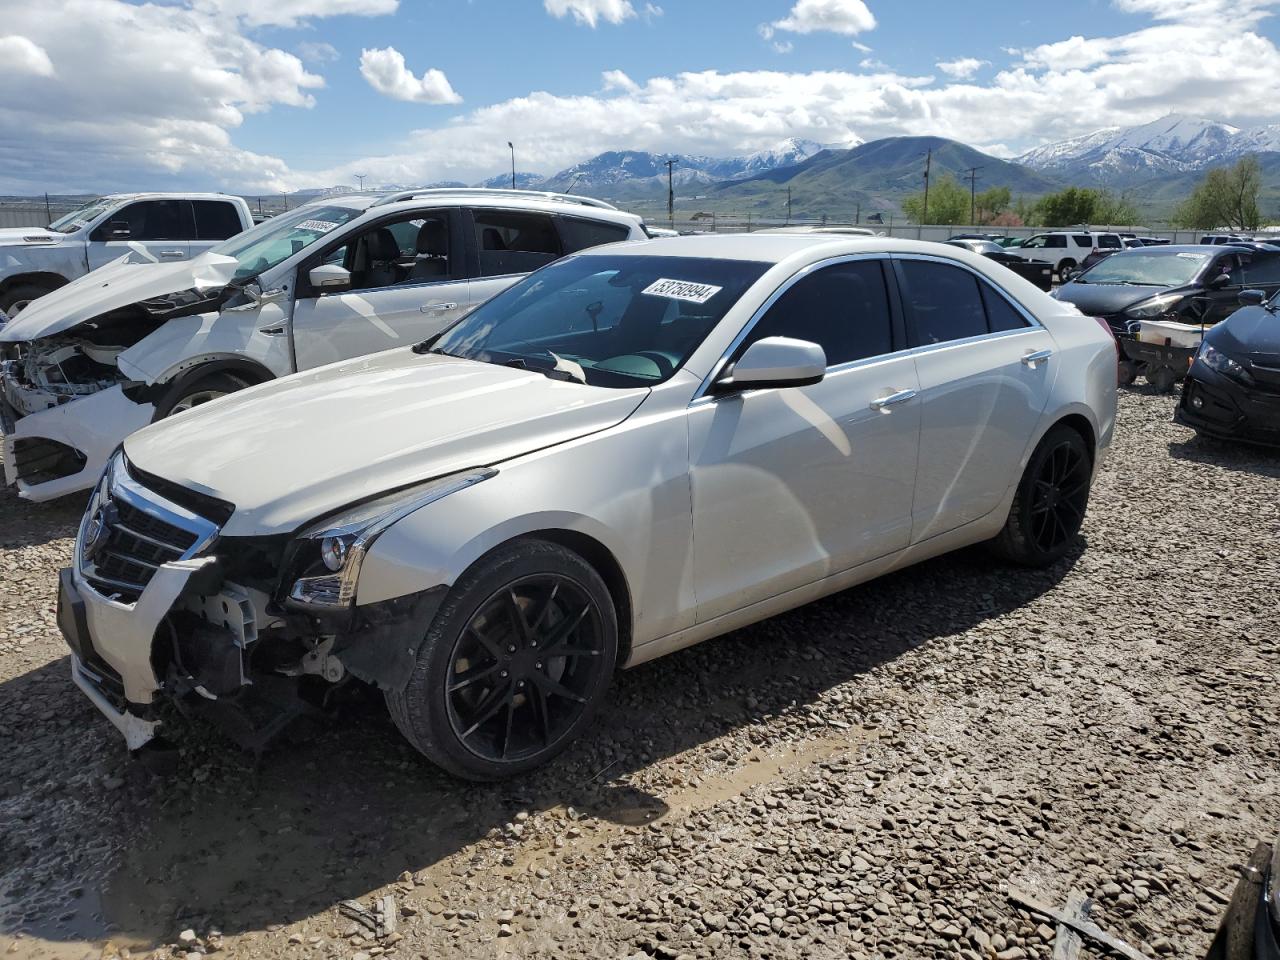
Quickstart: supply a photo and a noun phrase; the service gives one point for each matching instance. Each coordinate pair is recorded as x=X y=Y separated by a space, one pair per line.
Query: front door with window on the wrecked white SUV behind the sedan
x=408 y=284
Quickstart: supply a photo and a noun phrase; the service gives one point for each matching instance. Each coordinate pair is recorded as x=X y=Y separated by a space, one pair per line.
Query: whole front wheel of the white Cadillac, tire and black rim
x=514 y=666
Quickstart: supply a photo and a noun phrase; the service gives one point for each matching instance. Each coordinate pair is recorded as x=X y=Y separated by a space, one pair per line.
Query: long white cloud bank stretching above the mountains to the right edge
x=1050 y=93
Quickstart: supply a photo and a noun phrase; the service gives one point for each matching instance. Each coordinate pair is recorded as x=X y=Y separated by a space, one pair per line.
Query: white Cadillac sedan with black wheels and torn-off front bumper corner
x=632 y=451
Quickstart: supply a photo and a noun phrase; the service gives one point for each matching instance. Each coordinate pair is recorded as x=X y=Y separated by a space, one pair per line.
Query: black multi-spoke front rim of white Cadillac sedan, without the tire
x=525 y=668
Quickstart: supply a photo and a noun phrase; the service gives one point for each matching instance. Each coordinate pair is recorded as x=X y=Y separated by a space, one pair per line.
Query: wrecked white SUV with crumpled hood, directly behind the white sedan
x=139 y=341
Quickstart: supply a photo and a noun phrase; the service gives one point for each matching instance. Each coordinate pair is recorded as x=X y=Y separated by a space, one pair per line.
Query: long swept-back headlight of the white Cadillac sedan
x=331 y=554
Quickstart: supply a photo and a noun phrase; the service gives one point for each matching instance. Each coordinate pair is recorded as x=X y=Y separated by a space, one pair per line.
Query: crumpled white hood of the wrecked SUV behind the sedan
x=138 y=276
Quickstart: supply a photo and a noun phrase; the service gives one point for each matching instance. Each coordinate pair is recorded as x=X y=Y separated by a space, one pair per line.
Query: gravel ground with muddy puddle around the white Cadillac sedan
x=863 y=778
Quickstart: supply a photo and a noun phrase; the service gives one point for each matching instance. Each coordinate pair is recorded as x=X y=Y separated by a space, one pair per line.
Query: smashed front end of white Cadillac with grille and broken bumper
x=159 y=607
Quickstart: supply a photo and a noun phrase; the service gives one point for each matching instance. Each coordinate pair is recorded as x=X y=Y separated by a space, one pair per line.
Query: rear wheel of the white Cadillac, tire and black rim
x=1053 y=497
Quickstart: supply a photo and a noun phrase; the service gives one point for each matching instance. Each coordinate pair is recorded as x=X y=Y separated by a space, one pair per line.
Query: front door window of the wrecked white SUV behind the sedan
x=415 y=249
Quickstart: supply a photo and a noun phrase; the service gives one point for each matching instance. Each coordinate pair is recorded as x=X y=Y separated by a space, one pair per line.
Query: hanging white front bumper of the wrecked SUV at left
x=65 y=449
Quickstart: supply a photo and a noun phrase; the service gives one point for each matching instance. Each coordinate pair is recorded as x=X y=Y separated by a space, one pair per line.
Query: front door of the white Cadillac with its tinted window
x=796 y=484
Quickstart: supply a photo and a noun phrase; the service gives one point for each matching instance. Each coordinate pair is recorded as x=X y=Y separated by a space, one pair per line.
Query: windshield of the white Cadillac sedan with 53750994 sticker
x=605 y=321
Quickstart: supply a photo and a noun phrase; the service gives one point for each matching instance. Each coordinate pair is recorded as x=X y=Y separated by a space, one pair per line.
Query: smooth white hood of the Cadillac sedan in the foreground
x=294 y=450
